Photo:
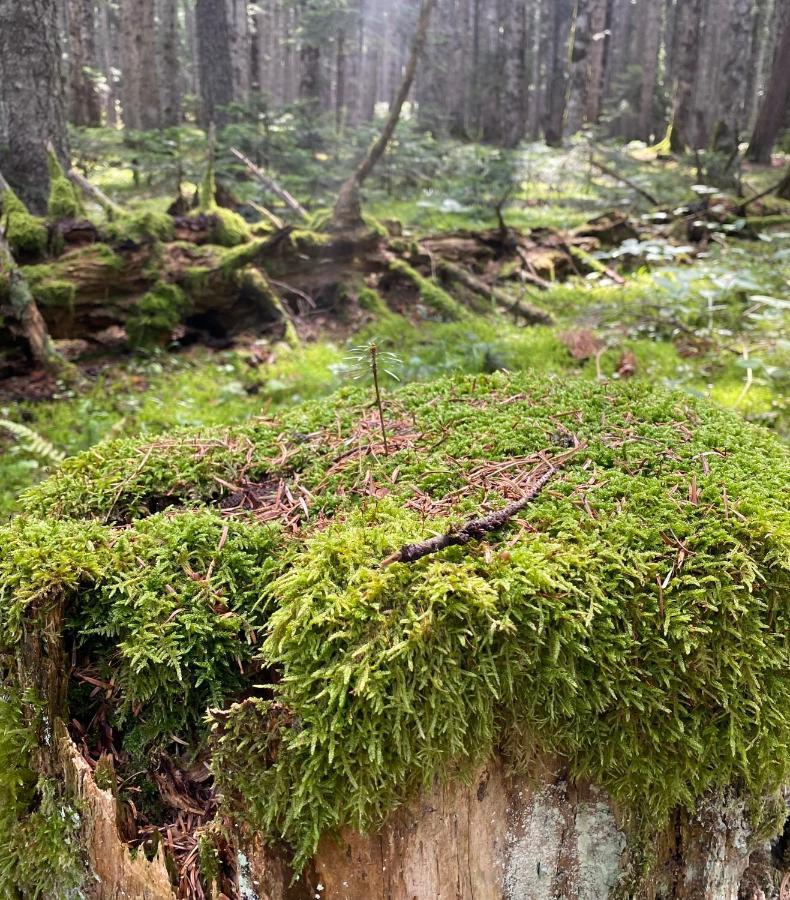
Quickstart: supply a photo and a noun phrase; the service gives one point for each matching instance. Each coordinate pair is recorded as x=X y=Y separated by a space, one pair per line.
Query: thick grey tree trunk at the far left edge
x=31 y=97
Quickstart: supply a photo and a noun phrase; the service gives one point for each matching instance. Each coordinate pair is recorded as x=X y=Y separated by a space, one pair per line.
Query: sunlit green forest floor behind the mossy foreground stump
x=712 y=318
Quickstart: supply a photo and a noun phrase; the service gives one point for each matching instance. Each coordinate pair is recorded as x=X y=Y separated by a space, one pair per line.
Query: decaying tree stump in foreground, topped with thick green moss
x=232 y=660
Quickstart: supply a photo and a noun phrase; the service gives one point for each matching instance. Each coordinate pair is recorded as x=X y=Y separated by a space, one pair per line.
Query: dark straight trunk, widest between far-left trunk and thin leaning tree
x=214 y=61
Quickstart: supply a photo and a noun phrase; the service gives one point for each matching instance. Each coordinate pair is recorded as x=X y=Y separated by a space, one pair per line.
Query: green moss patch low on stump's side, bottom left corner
x=39 y=848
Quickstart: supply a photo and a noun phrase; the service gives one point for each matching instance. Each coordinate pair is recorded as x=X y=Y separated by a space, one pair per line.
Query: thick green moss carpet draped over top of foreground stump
x=633 y=619
